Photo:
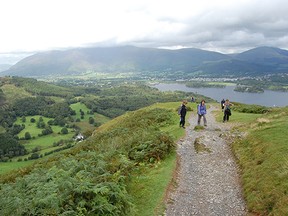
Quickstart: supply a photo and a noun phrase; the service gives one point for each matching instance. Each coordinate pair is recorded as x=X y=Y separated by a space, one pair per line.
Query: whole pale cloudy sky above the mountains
x=225 y=26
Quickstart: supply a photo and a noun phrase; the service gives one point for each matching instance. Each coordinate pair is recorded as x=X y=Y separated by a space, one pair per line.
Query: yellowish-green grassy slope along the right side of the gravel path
x=262 y=156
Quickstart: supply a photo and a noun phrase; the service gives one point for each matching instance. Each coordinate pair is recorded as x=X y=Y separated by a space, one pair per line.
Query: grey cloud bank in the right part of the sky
x=257 y=23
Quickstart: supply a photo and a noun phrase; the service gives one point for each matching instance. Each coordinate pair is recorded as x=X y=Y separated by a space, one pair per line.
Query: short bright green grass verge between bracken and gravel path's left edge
x=148 y=185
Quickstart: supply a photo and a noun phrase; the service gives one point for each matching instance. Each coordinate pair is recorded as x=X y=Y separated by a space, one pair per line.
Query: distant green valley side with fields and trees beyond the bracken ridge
x=40 y=118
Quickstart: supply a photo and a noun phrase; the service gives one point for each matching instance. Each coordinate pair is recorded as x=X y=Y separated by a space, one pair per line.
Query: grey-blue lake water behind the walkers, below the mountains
x=268 y=98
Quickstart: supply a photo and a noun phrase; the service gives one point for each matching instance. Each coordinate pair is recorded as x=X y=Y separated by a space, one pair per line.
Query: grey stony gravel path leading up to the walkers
x=207 y=182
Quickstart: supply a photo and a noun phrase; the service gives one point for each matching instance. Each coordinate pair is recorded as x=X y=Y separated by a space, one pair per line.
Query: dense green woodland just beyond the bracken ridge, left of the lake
x=118 y=100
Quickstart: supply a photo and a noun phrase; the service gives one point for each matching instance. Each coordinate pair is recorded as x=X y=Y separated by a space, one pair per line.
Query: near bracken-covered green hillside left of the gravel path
x=97 y=177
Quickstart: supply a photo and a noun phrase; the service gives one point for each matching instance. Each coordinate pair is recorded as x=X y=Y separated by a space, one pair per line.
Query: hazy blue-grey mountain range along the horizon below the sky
x=189 y=61
